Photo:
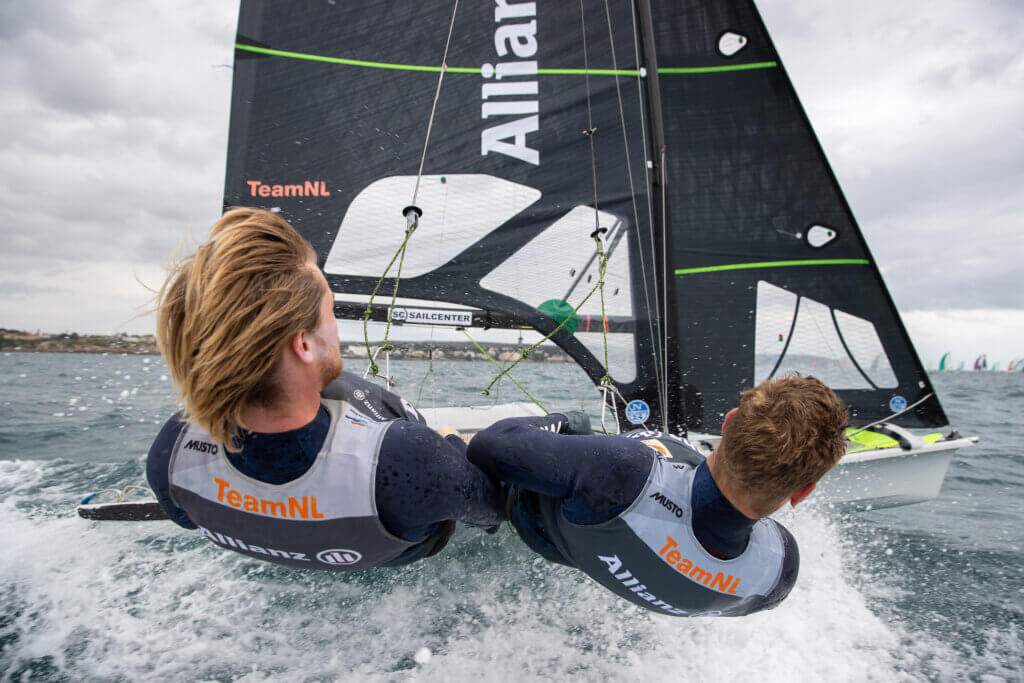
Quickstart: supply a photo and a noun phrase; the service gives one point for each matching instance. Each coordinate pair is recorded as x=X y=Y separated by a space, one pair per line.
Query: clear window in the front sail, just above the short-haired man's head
x=798 y=334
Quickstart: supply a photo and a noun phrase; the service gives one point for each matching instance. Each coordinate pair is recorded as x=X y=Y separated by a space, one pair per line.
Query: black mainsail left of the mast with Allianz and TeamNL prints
x=331 y=108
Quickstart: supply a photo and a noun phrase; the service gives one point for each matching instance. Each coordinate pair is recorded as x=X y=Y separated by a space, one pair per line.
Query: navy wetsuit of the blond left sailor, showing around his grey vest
x=423 y=482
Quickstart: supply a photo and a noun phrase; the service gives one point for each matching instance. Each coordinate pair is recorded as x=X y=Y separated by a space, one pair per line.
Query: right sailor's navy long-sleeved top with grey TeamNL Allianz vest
x=608 y=506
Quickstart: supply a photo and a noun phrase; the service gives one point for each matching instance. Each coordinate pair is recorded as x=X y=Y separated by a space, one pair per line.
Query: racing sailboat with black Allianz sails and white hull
x=635 y=182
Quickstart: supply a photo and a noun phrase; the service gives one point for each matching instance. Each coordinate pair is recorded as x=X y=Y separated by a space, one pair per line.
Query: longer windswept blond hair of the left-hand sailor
x=226 y=314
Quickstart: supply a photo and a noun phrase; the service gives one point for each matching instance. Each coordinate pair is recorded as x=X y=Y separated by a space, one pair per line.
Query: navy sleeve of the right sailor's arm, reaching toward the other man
x=598 y=478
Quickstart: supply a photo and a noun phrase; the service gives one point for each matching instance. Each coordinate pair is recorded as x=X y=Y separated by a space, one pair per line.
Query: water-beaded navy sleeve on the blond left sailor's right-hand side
x=423 y=480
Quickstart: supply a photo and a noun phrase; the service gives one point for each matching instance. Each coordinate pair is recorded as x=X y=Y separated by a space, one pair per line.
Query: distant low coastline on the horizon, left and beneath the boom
x=72 y=343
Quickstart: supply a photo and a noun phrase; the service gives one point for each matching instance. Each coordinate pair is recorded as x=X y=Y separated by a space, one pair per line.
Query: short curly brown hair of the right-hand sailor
x=786 y=435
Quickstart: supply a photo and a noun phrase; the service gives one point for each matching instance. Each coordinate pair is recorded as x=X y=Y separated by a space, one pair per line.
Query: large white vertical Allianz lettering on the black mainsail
x=517 y=95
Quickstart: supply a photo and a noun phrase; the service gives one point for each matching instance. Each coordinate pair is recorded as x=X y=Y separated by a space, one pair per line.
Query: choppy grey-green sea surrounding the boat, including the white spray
x=930 y=591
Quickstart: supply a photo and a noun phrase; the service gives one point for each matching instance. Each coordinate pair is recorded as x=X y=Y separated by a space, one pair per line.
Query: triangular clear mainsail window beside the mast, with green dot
x=561 y=265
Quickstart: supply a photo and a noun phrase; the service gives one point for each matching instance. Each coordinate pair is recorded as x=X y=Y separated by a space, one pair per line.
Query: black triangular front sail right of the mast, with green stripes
x=769 y=271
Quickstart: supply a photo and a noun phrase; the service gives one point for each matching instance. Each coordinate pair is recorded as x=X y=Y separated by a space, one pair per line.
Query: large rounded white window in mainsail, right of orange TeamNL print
x=458 y=210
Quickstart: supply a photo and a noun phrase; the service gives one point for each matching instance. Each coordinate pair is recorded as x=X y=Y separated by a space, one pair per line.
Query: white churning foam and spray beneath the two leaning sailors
x=89 y=597
